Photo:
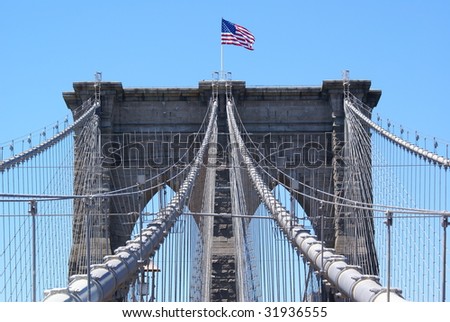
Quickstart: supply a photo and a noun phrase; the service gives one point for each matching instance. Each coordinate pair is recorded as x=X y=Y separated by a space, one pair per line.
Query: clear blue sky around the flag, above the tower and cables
x=401 y=46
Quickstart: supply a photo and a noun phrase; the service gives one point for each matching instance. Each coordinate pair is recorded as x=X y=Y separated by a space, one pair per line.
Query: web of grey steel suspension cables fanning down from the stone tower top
x=390 y=217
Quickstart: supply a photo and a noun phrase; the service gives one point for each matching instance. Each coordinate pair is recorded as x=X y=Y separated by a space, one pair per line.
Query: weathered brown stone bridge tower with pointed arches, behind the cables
x=145 y=130
